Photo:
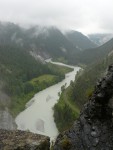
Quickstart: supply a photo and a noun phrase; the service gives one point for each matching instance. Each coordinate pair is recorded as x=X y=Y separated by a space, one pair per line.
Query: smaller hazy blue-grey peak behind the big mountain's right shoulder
x=79 y=40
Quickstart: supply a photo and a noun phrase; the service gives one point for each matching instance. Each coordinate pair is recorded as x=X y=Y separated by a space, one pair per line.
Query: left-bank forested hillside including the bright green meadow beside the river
x=17 y=71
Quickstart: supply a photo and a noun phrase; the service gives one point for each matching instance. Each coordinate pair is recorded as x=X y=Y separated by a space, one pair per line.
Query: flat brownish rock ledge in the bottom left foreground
x=21 y=140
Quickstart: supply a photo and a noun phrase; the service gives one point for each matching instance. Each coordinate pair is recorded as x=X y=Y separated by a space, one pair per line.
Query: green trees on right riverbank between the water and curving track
x=65 y=111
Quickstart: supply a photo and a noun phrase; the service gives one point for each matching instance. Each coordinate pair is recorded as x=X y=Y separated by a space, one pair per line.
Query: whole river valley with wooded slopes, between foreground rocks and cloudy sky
x=45 y=95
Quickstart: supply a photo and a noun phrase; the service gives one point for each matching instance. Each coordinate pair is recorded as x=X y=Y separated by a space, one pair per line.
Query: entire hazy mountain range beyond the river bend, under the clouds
x=47 y=42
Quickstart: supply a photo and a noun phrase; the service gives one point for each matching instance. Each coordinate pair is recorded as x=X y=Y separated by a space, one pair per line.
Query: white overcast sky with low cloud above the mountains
x=87 y=16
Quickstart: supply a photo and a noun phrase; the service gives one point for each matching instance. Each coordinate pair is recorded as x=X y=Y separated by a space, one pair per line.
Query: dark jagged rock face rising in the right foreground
x=94 y=128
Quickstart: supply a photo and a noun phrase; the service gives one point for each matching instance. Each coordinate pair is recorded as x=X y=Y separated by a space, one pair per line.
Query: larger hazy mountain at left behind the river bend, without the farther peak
x=43 y=41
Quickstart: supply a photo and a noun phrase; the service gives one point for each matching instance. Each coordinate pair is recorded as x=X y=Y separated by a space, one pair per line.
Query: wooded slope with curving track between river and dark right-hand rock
x=73 y=98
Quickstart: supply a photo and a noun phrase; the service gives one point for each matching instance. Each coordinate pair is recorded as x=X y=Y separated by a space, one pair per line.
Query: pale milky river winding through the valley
x=38 y=115
